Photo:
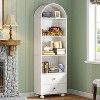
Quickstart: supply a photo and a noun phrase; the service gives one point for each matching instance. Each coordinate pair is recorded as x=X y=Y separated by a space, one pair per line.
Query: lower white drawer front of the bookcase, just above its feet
x=53 y=89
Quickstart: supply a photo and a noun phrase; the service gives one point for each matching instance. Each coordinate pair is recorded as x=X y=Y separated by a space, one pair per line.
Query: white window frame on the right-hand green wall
x=93 y=53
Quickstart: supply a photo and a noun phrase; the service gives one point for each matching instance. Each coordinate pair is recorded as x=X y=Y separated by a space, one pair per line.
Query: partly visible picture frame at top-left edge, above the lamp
x=1 y=13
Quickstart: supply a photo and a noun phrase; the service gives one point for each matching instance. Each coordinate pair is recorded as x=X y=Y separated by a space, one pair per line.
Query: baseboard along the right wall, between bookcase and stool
x=84 y=94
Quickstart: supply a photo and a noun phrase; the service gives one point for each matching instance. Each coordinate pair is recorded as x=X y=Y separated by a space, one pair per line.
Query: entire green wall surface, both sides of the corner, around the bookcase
x=80 y=75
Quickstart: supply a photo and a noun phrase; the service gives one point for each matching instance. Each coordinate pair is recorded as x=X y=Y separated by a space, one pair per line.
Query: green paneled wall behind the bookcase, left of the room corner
x=24 y=11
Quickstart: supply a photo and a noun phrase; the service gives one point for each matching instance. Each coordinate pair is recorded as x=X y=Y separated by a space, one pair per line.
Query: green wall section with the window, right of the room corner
x=82 y=74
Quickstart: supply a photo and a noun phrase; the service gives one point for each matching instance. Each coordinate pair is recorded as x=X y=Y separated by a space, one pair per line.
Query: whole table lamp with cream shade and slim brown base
x=10 y=22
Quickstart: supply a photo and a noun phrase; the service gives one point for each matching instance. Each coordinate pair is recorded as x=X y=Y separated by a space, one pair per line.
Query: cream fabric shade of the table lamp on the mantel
x=10 y=21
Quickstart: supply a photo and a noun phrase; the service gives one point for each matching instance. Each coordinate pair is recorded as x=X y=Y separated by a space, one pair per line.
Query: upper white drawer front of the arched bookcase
x=54 y=78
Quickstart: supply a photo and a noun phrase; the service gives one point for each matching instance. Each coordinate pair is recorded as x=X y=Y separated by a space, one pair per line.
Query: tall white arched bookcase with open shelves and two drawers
x=50 y=50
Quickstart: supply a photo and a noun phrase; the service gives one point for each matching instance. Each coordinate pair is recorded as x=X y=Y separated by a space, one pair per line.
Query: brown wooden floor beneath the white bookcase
x=67 y=97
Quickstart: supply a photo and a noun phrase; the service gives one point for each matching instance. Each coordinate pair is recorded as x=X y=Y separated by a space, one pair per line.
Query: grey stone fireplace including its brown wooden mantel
x=8 y=77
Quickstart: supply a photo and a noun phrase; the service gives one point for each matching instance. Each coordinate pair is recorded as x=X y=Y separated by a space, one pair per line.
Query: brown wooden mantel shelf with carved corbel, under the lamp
x=12 y=45
